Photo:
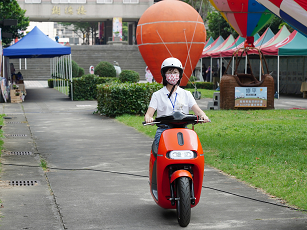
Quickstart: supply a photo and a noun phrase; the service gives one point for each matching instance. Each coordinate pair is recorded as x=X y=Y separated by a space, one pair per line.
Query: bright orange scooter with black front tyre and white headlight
x=176 y=167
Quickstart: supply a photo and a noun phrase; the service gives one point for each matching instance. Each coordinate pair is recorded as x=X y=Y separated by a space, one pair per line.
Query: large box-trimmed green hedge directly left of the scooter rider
x=125 y=98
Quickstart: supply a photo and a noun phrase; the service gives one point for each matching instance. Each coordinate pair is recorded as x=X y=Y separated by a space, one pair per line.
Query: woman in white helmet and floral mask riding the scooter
x=171 y=97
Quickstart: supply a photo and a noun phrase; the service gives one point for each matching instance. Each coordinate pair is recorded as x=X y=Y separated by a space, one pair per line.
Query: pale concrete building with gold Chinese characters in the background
x=108 y=14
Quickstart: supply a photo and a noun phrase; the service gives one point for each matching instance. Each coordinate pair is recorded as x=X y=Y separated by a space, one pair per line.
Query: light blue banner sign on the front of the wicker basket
x=251 y=97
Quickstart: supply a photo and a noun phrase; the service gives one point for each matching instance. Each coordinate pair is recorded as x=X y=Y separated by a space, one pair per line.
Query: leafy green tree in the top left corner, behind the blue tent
x=9 y=9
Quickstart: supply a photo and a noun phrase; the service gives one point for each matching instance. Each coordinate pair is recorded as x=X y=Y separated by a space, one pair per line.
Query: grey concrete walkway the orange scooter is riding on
x=98 y=176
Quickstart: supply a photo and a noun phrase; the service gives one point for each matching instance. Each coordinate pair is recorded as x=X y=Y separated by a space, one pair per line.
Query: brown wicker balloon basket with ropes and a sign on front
x=243 y=90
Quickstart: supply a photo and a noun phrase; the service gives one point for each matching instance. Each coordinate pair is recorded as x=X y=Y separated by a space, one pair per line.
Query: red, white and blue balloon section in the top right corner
x=291 y=11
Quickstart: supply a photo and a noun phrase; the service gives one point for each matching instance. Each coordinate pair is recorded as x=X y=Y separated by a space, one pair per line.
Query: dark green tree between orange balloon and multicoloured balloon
x=218 y=26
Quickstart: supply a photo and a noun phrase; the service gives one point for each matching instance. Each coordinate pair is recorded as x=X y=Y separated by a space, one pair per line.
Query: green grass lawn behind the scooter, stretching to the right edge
x=265 y=148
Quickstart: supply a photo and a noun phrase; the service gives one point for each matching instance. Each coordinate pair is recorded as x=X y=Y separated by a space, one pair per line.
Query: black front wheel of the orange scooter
x=184 y=201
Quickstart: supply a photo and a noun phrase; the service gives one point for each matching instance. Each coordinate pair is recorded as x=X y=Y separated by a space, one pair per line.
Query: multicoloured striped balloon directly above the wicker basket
x=247 y=17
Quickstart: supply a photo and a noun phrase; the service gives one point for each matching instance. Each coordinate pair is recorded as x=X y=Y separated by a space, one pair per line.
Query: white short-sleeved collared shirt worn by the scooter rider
x=180 y=100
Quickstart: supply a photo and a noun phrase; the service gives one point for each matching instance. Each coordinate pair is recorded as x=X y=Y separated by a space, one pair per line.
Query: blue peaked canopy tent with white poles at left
x=36 y=44
